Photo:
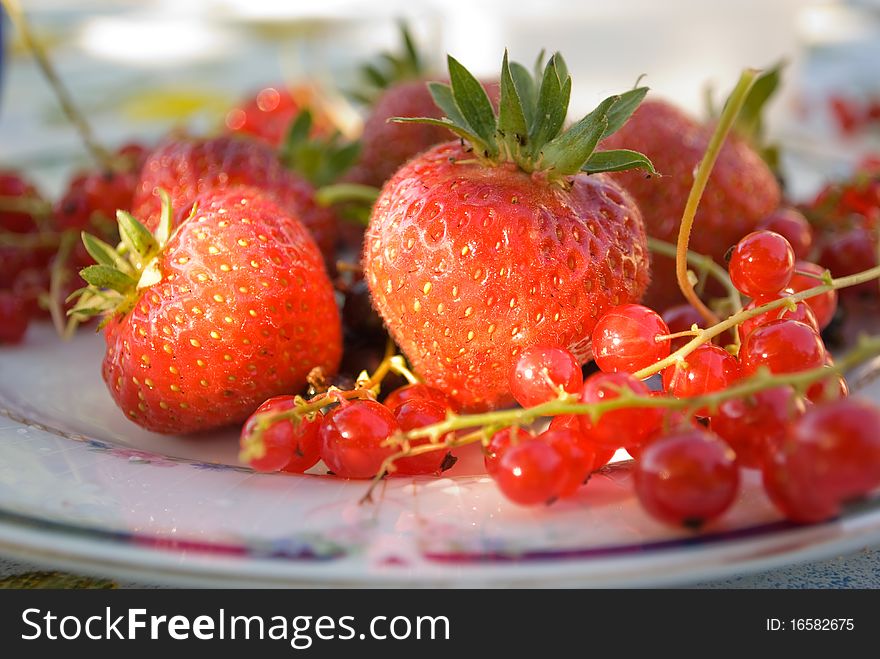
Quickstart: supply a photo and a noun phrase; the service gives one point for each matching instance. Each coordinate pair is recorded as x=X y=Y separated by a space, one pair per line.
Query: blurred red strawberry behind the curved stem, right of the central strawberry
x=741 y=191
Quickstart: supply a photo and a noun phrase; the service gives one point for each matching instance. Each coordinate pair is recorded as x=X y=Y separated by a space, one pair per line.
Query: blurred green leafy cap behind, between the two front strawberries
x=321 y=160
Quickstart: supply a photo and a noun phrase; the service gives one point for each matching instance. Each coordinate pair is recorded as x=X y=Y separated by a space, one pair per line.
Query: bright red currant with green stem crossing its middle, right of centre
x=621 y=427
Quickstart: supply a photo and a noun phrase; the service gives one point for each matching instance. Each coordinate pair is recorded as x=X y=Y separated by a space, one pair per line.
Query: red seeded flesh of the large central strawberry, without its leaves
x=505 y=261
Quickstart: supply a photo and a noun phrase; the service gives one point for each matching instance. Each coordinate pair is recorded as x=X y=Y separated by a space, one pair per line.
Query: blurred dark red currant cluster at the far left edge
x=40 y=249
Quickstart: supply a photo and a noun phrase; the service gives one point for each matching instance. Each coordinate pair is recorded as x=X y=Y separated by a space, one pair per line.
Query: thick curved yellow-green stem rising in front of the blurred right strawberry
x=701 y=178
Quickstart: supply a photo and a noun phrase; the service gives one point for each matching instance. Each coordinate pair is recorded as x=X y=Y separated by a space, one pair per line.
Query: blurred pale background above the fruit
x=140 y=68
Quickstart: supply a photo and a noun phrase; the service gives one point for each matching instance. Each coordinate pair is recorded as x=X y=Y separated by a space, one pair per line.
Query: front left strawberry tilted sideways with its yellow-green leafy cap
x=203 y=326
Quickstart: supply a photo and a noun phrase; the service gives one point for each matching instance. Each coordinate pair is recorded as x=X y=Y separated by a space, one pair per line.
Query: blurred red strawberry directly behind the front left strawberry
x=187 y=167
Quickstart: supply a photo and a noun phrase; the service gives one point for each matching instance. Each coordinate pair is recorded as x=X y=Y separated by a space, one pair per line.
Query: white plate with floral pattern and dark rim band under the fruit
x=83 y=488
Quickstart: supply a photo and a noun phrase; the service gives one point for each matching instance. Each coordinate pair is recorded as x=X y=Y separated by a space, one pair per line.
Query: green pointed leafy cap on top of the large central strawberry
x=528 y=129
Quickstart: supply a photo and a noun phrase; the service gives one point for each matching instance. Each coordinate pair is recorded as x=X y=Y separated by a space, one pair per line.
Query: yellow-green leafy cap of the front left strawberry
x=120 y=273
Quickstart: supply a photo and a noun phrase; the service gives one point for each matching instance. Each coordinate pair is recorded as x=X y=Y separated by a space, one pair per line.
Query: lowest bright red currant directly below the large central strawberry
x=531 y=473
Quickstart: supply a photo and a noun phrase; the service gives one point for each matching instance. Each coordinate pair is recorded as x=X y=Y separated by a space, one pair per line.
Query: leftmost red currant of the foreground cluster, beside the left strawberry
x=285 y=445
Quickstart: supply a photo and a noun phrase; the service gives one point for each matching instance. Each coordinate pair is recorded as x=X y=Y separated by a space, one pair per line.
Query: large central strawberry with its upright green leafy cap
x=474 y=253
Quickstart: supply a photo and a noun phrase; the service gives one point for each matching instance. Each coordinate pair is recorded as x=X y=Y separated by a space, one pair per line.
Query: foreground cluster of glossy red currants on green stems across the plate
x=771 y=401
